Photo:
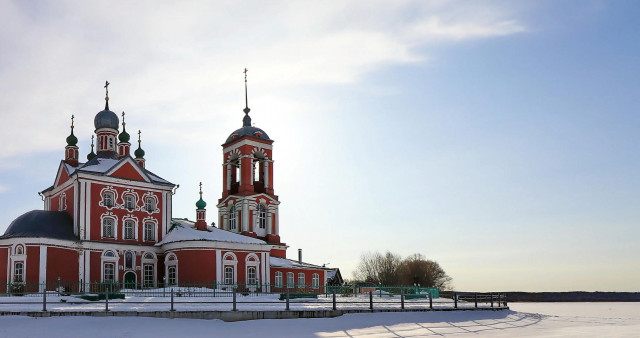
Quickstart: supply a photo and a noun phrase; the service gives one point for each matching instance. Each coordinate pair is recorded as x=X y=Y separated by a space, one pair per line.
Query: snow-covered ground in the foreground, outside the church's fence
x=524 y=320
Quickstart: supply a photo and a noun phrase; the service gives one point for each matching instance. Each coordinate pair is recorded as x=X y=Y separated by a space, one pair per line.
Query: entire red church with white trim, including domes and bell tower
x=110 y=219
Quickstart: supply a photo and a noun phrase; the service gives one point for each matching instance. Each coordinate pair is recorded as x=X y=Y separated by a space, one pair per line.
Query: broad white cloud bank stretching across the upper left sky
x=183 y=62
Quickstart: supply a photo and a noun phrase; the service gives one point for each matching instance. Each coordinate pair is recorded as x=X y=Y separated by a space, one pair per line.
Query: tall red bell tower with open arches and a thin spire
x=249 y=205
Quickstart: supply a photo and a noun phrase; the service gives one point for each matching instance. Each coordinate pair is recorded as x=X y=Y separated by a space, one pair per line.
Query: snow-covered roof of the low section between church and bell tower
x=184 y=230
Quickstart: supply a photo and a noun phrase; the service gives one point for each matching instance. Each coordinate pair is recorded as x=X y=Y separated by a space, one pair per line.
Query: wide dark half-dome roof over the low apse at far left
x=42 y=224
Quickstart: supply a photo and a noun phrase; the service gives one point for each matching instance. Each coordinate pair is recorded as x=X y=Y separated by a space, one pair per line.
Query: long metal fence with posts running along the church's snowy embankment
x=212 y=297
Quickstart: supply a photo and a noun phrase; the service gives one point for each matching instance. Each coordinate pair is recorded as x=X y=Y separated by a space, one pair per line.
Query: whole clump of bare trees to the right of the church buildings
x=390 y=269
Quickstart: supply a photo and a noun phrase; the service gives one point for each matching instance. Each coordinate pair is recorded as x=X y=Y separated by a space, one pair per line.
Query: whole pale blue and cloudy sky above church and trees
x=498 y=138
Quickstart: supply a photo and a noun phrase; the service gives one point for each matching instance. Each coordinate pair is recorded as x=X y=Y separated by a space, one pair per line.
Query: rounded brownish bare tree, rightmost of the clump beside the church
x=417 y=269
